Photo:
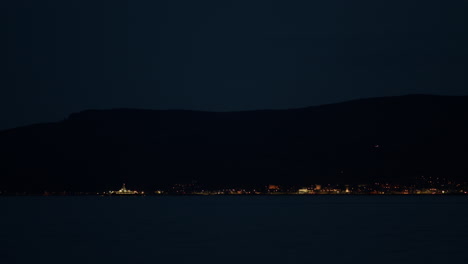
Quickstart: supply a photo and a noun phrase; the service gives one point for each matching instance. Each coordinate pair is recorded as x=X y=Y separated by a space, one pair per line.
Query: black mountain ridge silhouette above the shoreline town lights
x=387 y=139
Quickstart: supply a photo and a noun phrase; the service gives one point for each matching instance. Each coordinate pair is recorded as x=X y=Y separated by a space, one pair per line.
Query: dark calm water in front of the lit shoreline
x=234 y=229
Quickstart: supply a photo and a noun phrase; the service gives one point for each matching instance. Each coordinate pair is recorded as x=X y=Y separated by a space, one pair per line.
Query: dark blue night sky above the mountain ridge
x=59 y=57
